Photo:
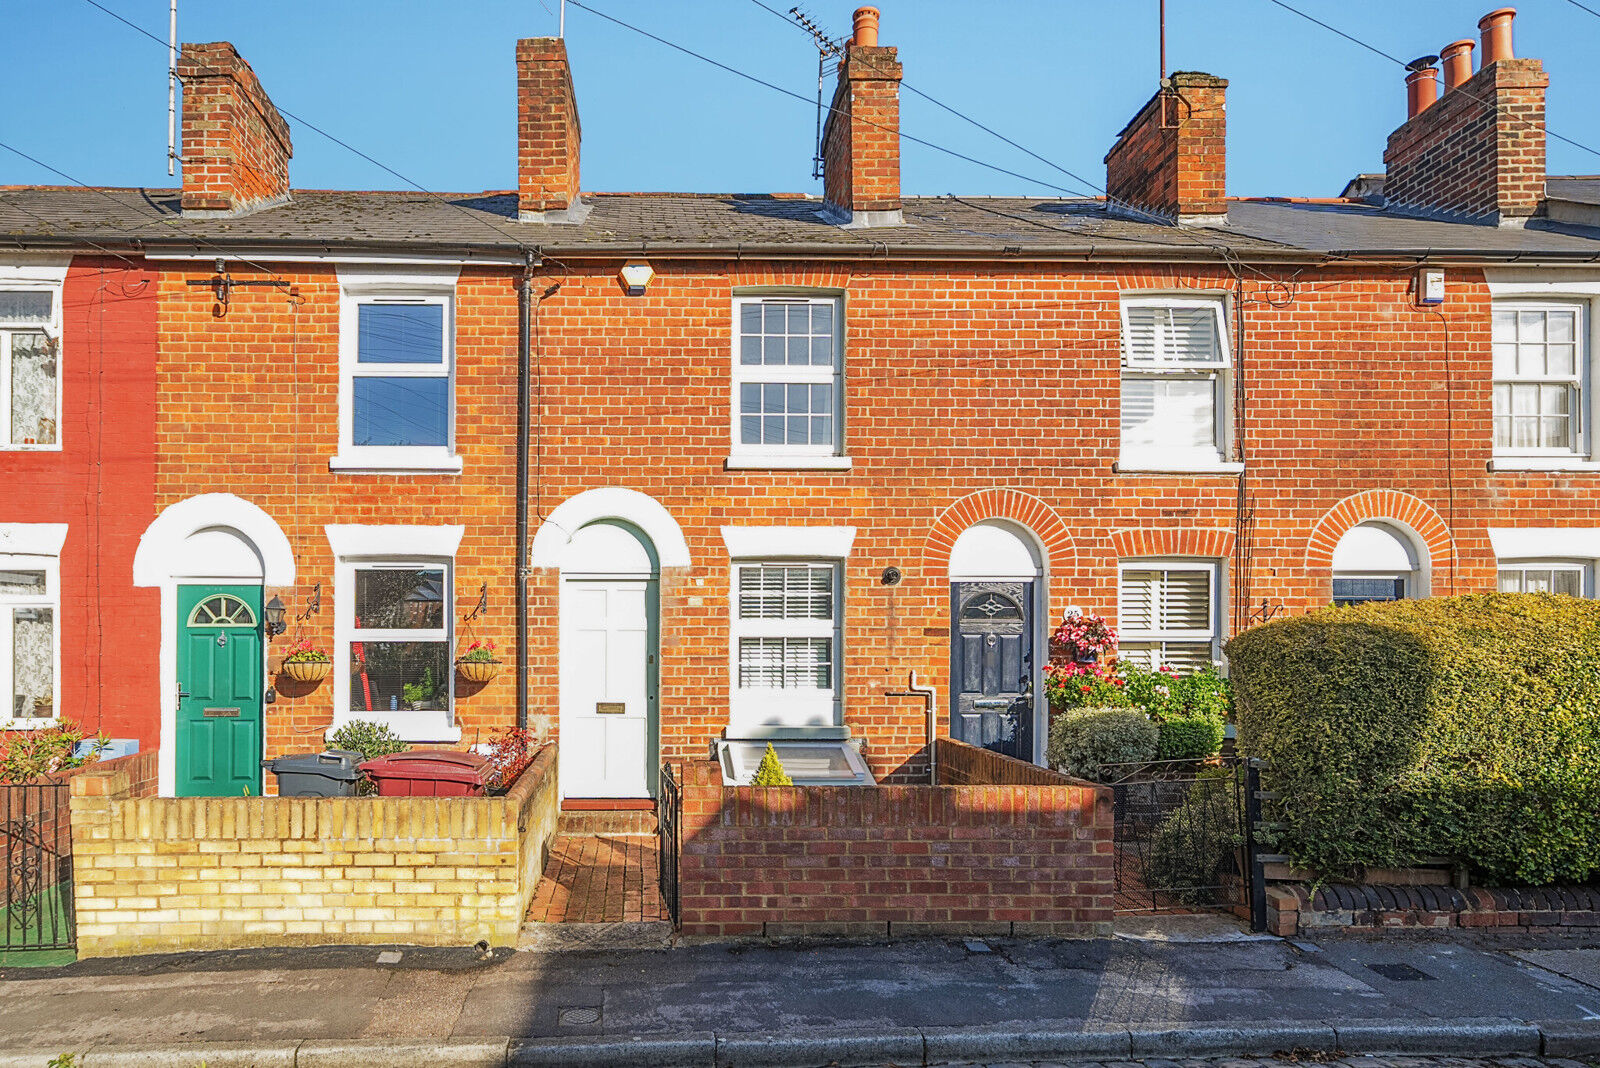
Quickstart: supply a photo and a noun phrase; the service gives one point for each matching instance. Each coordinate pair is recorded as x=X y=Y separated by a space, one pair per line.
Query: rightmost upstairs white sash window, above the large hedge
x=1542 y=370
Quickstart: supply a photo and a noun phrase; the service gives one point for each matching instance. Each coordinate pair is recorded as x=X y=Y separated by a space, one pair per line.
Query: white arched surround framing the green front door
x=207 y=540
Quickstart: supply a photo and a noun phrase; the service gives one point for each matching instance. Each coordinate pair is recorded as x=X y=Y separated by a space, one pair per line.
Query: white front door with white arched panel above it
x=610 y=723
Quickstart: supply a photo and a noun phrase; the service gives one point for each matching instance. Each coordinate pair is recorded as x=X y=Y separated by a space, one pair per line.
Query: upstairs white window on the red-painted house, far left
x=30 y=369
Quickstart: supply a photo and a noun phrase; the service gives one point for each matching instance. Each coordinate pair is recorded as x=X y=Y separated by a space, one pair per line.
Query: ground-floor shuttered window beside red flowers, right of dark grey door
x=1167 y=615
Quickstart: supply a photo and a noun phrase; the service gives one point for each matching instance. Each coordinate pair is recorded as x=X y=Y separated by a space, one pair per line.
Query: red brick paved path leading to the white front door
x=599 y=879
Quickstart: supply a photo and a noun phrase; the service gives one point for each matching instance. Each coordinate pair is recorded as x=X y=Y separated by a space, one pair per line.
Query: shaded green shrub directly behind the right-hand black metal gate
x=1196 y=847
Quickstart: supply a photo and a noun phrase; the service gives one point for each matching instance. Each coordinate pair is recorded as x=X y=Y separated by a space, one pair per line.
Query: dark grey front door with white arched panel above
x=999 y=642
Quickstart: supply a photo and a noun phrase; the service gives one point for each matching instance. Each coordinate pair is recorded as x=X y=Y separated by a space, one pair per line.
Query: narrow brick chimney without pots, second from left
x=548 y=133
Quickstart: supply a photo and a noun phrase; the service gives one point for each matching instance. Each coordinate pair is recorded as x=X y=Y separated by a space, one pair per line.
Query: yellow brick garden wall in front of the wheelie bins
x=166 y=875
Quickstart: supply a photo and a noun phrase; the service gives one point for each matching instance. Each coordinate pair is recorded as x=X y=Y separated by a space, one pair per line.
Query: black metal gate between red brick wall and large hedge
x=1183 y=837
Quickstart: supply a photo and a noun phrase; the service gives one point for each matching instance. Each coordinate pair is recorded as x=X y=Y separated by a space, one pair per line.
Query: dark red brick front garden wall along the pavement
x=894 y=859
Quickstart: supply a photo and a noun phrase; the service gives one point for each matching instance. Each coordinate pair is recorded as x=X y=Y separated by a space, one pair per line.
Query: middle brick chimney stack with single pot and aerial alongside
x=862 y=138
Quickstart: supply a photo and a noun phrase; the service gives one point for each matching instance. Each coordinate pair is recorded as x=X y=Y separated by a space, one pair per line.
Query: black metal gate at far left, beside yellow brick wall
x=36 y=831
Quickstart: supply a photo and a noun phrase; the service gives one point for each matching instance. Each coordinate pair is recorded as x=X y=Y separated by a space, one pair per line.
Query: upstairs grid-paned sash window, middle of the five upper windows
x=786 y=377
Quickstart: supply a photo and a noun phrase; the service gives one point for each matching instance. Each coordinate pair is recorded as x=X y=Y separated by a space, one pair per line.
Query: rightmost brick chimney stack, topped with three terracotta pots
x=1479 y=151
